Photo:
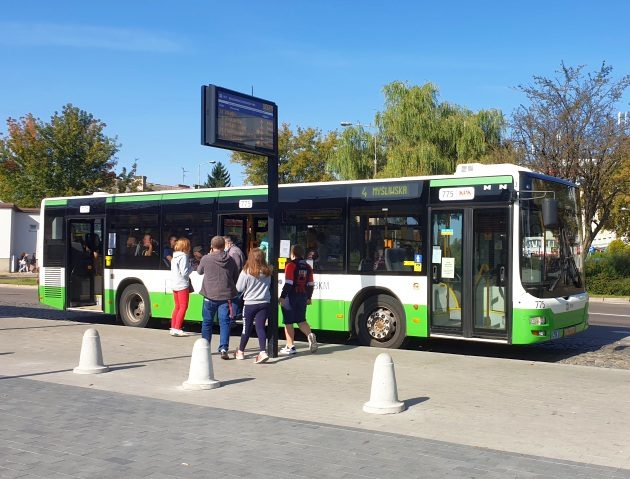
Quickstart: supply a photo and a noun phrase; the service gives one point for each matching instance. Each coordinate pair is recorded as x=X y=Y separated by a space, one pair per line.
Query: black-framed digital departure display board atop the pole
x=236 y=121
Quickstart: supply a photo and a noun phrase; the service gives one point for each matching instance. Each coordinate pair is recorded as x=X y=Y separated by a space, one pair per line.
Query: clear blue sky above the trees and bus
x=138 y=66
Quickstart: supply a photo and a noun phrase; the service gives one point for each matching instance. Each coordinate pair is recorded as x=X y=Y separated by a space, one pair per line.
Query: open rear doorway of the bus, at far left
x=85 y=263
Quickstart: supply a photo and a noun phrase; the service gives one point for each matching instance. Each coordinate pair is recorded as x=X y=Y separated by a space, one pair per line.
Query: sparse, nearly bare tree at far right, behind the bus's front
x=570 y=129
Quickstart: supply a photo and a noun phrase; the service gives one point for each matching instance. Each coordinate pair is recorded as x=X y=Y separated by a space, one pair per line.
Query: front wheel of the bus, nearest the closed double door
x=380 y=322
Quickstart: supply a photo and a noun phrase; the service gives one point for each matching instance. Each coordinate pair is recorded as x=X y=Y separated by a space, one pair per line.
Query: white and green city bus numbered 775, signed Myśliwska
x=446 y=256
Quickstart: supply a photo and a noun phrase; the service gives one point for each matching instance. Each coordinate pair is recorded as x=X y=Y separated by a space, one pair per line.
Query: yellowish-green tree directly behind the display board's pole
x=302 y=157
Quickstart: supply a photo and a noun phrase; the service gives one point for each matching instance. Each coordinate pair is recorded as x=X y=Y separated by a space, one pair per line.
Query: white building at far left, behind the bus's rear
x=18 y=234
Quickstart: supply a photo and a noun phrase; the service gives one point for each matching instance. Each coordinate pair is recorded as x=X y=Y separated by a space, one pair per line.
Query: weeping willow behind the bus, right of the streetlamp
x=423 y=136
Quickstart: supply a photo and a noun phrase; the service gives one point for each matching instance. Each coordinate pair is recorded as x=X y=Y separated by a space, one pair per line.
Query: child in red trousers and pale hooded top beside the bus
x=180 y=282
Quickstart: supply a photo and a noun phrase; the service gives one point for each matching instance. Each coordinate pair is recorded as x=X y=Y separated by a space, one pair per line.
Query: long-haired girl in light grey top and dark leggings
x=254 y=282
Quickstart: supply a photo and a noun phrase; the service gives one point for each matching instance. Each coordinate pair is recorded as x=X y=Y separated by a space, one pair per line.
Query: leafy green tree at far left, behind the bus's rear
x=70 y=155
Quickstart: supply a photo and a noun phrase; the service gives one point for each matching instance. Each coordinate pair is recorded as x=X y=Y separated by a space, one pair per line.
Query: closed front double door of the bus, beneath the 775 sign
x=468 y=275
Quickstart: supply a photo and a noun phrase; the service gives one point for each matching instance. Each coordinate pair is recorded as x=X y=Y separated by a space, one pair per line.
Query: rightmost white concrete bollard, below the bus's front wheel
x=384 y=394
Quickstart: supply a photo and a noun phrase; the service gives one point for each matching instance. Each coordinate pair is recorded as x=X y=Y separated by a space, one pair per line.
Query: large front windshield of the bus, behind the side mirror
x=550 y=265
